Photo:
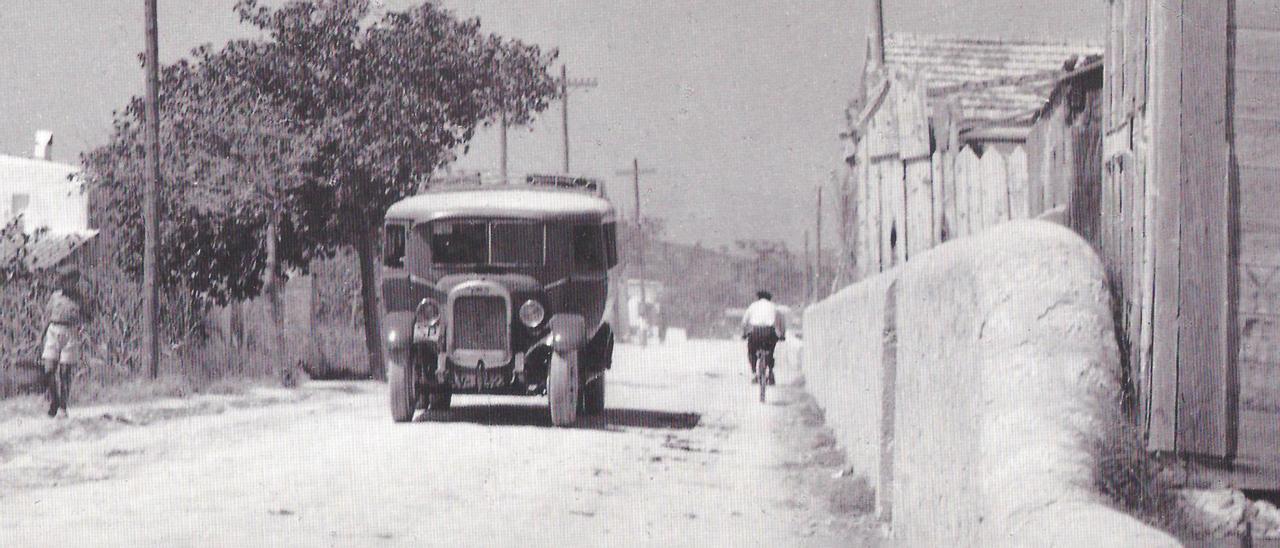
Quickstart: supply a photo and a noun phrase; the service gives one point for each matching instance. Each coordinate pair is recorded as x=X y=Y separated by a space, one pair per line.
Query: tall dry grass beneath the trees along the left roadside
x=199 y=357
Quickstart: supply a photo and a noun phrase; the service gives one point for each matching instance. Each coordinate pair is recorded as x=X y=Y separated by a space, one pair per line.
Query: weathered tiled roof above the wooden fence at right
x=990 y=80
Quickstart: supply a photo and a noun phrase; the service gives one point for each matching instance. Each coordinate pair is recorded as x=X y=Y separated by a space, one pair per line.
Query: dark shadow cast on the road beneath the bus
x=516 y=415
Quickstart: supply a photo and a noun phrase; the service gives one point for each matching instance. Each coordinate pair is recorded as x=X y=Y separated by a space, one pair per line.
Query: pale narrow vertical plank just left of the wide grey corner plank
x=1165 y=108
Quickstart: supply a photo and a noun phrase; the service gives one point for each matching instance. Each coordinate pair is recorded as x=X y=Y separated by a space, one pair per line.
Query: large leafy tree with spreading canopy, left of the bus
x=362 y=113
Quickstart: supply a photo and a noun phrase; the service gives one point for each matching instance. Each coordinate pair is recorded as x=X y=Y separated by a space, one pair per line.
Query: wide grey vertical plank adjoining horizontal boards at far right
x=1206 y=372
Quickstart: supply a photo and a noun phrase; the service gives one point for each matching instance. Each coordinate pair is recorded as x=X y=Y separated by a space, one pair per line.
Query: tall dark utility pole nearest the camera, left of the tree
x=152 y=200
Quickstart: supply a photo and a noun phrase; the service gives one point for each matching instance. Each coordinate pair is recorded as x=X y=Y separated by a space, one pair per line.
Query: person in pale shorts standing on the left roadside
x=65 y=316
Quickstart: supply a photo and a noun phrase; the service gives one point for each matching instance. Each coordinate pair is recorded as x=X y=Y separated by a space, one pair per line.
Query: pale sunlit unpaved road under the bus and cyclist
x=684 y=456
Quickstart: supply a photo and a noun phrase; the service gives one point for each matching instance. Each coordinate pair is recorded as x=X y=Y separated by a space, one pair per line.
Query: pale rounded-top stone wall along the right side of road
x=972 y=386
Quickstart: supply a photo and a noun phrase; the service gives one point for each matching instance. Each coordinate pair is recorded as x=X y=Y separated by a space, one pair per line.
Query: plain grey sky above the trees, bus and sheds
x=737 y=106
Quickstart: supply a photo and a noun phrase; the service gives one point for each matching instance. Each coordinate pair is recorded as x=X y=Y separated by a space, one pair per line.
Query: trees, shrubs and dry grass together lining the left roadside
x=280 y=157
